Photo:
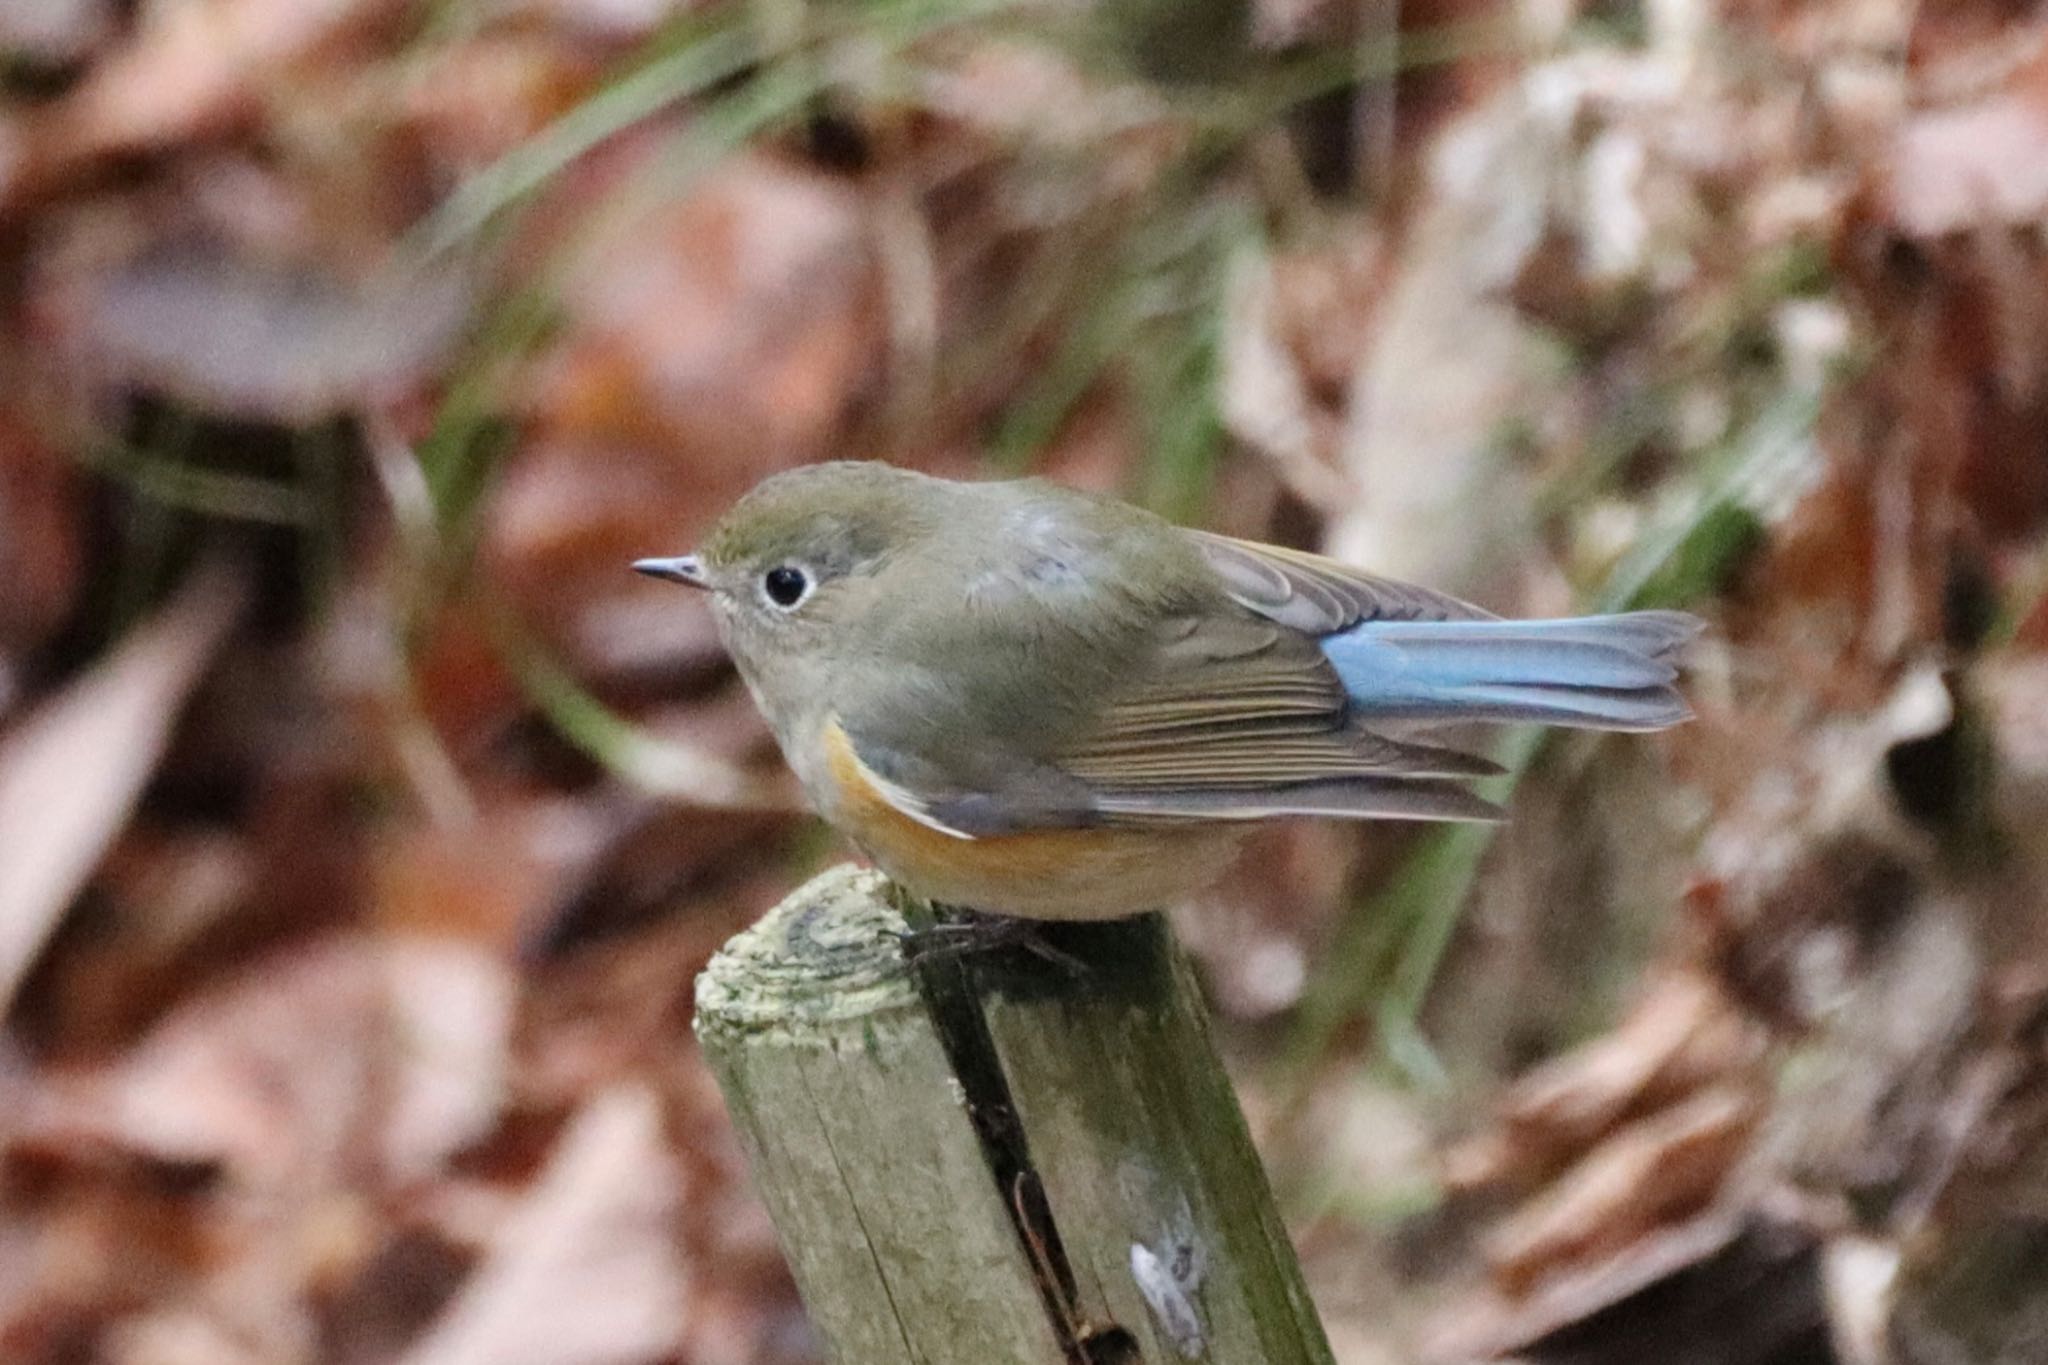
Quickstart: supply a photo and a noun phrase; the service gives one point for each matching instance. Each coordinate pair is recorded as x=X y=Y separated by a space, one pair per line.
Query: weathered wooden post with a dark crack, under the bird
x=1005 y=1157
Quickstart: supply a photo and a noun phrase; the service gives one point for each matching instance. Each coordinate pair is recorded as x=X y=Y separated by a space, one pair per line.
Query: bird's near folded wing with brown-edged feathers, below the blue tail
x=1232 y=719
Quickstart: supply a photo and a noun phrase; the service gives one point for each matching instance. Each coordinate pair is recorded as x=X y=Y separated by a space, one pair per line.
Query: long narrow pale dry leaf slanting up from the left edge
x=73 y=770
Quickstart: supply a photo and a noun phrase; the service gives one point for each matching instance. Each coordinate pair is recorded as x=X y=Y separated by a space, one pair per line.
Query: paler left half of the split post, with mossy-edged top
x=859 y=1139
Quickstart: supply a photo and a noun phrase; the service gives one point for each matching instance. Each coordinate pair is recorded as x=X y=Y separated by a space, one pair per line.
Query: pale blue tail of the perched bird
x=1590 y=672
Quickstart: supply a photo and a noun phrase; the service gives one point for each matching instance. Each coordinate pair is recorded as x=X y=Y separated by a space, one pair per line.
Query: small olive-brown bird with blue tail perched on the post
x=1031 y=701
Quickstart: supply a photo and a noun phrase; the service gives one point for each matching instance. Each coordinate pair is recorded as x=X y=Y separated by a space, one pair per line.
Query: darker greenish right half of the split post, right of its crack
x=1140 y=1143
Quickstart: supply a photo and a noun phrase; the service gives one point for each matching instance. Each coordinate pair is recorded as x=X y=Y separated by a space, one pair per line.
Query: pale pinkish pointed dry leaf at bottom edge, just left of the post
x=587 y=1272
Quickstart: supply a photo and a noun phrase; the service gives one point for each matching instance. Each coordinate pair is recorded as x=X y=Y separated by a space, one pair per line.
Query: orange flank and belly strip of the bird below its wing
x=1041 y=875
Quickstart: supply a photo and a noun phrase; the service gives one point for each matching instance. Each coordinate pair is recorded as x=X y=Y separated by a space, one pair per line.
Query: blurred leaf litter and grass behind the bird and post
x=364 y=820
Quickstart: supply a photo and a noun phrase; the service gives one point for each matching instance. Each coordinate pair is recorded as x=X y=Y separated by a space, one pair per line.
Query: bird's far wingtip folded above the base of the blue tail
x=1316 y=595
